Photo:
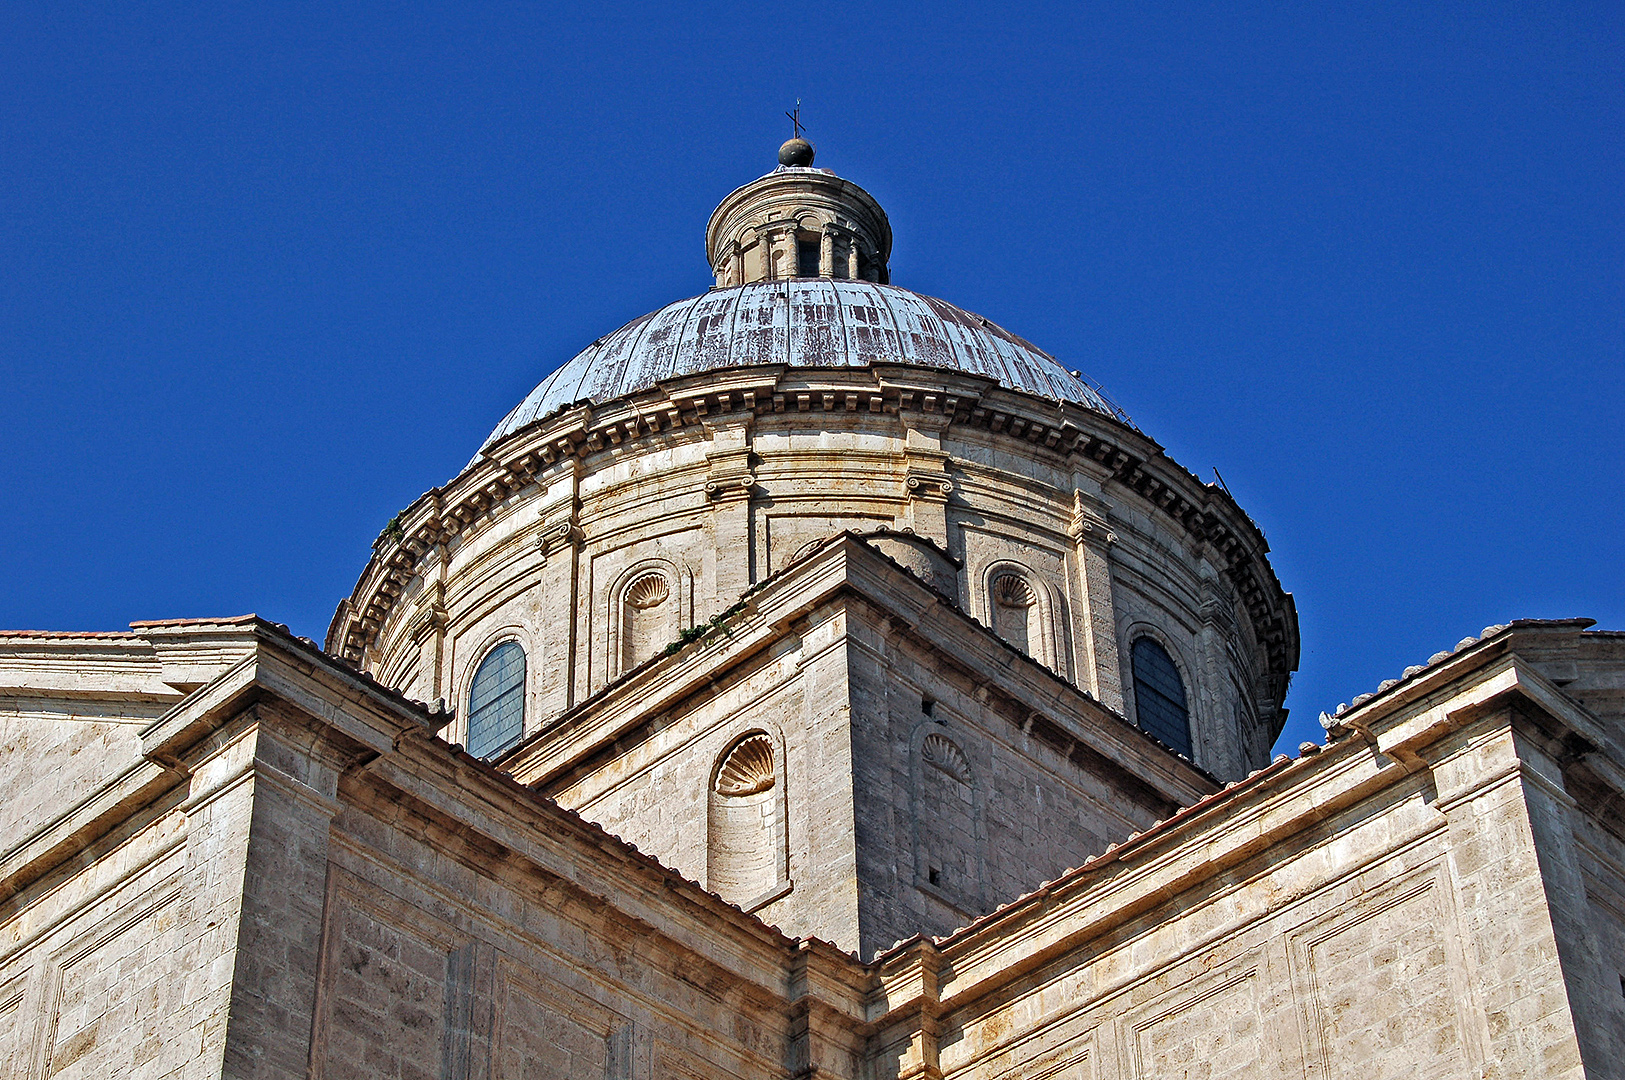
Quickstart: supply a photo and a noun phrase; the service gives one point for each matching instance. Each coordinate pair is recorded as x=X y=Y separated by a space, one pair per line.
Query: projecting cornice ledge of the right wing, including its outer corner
x=1468 y=702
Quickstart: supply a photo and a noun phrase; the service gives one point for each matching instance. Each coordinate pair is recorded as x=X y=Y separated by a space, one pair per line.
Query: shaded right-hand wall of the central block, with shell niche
x=961 y=806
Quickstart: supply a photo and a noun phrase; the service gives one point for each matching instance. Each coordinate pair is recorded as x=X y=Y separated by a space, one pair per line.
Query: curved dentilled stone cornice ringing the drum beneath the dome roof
x=1203 y=512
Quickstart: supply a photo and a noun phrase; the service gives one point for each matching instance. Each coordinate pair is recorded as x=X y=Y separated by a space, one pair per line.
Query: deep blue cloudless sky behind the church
x=269 y=272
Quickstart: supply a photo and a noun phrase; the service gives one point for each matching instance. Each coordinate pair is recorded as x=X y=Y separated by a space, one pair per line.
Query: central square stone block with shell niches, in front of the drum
x=912 y=798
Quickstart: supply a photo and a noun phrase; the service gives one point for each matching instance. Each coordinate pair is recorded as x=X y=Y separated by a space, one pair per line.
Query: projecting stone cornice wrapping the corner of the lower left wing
x=381 y=740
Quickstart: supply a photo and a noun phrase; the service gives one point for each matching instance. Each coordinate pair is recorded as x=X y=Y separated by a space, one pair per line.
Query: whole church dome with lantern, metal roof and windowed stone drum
x=704 y=452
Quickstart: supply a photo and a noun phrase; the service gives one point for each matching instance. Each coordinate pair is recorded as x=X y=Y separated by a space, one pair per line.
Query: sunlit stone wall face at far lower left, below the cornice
x=119 y=964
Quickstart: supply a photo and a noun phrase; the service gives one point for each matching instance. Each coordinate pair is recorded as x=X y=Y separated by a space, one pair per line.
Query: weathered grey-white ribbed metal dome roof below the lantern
x=802 y=322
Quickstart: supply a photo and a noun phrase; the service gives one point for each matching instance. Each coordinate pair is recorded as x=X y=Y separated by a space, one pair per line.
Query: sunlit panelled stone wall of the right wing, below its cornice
x=1385 y=941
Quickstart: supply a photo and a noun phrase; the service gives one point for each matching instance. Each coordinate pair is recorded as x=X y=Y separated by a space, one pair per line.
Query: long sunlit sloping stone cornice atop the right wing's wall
x=1226 y=831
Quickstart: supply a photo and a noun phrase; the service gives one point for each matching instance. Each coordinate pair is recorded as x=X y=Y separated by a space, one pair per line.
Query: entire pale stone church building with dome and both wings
x=807 y=680
